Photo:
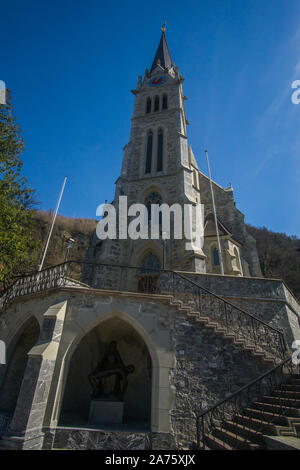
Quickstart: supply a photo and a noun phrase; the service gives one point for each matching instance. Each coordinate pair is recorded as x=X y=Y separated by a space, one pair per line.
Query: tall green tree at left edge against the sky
x=17 y=241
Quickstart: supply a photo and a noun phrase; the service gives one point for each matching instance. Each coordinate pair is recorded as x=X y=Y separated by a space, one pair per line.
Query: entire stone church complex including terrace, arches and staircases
x=147 y=344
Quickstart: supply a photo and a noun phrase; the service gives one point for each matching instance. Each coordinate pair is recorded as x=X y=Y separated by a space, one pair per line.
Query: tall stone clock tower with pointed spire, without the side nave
x=156 y=169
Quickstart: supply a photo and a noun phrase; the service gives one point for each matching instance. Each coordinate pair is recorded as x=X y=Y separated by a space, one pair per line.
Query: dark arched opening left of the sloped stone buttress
x=21 y=344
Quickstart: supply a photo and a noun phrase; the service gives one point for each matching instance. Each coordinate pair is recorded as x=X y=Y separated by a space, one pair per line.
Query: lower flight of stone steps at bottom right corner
x=276 y=414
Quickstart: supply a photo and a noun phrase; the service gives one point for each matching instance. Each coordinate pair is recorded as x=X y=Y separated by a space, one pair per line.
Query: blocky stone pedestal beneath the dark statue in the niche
x=106 y=412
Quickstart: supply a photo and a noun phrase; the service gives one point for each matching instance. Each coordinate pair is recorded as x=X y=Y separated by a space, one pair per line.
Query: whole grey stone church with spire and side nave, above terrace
x=159 y=167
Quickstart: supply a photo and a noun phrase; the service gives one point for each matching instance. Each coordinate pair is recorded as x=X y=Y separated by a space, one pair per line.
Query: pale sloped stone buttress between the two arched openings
x=26 y=428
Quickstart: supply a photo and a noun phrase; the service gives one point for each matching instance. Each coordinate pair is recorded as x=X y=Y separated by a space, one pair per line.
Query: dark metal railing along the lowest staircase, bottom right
x=229 y=408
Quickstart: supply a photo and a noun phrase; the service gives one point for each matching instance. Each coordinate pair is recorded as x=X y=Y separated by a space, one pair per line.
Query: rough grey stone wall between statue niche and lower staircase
x=208 y=368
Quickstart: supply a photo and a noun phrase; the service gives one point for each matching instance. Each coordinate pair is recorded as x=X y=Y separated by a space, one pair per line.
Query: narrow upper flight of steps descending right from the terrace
x=244 y=343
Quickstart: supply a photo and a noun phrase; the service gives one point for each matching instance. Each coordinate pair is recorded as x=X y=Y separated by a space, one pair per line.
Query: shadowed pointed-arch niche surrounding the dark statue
x=89 y=354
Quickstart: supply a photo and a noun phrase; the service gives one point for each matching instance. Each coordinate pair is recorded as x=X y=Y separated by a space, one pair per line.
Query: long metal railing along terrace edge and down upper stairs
x=243 y=324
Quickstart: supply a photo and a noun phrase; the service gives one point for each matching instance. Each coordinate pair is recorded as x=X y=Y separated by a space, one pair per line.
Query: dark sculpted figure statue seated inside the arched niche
x=109 y=379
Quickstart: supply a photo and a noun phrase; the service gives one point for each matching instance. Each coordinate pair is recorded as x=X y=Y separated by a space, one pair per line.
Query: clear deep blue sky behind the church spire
x=71 y=65
